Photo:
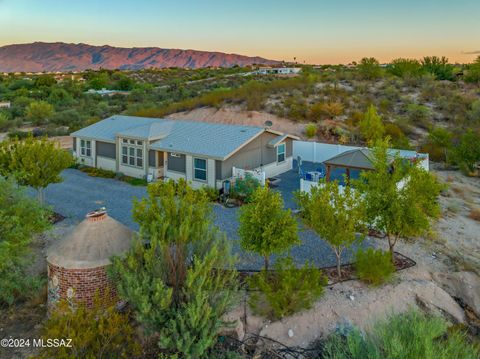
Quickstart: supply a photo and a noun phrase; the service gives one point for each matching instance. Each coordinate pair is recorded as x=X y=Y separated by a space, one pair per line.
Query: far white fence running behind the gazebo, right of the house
x=319 y=152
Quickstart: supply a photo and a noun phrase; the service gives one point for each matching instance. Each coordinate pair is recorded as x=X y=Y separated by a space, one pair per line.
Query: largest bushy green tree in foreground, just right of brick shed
x=178 y=276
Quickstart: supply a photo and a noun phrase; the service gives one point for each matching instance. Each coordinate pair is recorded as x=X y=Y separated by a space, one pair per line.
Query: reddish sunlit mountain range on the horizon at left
x=59 y=56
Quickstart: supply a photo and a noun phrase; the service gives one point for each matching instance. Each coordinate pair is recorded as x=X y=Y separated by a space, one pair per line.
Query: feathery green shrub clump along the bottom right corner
x=409 y=335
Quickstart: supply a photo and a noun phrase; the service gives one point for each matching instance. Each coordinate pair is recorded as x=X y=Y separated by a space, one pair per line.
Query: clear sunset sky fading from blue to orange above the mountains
x=312 y=31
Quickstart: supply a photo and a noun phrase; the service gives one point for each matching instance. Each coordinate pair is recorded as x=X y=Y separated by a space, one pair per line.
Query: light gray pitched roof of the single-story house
x=196 y=138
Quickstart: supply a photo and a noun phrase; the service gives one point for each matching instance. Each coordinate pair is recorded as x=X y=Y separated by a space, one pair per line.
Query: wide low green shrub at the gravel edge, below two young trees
x=286 y=290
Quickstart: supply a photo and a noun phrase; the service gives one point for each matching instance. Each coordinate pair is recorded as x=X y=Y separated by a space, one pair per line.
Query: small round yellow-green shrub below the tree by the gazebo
x=374 y=266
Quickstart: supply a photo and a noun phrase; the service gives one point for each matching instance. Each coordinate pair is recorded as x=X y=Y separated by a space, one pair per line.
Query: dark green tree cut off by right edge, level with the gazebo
x=467 y=152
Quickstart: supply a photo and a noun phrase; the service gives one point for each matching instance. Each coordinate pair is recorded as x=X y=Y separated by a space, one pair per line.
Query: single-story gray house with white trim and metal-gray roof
x=200 y=152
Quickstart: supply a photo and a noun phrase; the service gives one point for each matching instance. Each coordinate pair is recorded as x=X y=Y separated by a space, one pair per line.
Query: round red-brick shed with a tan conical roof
x=77 y=265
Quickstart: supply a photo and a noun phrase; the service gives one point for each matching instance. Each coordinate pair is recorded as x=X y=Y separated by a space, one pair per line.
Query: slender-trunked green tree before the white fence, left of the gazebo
x=336 y=214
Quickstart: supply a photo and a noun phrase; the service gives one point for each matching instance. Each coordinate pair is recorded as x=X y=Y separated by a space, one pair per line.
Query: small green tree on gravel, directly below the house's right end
x=266 y=227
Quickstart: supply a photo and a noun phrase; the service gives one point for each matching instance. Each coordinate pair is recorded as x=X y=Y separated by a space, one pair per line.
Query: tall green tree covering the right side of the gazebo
x=401 y=197
